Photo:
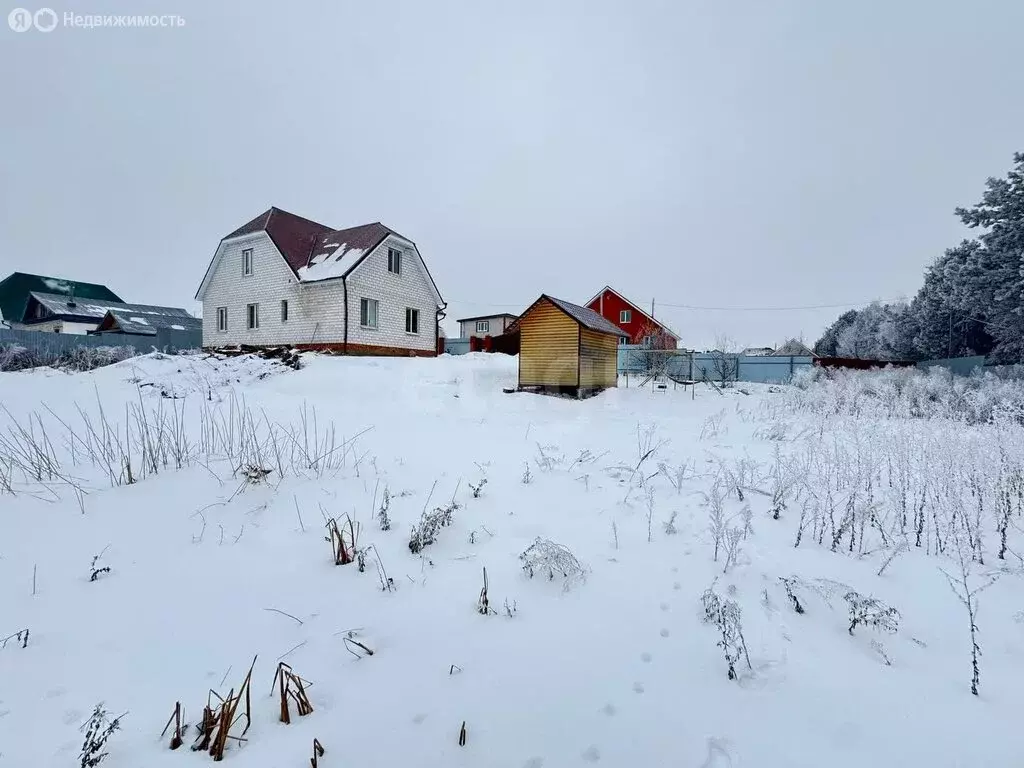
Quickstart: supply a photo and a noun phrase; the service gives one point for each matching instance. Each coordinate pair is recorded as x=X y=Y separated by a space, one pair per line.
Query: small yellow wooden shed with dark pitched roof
x=567 y=350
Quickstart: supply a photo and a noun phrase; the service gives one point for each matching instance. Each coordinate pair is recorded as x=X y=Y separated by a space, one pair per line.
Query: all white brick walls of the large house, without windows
x=317 y=311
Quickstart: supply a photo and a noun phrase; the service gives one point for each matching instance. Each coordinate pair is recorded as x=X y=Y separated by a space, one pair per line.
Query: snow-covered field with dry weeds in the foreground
x=751 y=579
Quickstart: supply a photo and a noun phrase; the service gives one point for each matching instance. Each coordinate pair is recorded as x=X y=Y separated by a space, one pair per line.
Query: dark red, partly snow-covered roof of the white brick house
x=317 y=252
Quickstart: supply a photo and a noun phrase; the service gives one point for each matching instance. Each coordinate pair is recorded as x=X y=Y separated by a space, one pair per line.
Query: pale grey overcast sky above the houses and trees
x=722 y=154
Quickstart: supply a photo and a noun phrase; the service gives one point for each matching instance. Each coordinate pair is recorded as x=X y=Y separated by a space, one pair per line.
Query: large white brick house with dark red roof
x=281 y=279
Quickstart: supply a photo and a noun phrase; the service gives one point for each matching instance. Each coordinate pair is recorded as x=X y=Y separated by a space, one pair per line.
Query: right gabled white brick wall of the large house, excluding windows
x=394 y=292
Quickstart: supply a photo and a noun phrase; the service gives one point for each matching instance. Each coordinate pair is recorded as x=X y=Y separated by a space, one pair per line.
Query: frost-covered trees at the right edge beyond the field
x=972 y=300
